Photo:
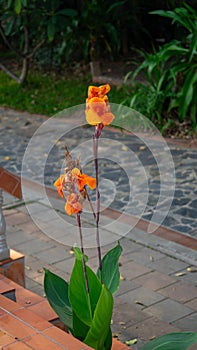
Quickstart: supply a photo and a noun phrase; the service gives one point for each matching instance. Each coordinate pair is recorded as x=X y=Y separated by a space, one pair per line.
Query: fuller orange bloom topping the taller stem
x=97 y=106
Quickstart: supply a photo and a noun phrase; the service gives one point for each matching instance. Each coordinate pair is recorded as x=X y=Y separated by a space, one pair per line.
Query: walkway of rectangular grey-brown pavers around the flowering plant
x=157 y=293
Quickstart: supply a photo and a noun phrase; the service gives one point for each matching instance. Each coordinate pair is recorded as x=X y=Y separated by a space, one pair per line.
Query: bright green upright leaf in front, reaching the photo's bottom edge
x=99 y=330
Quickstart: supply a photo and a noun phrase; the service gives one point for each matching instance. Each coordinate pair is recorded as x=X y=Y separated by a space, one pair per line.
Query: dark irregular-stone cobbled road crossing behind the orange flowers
x=131 y=181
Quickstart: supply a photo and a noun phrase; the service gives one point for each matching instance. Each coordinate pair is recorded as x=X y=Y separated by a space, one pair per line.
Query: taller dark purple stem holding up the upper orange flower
x=95 y=149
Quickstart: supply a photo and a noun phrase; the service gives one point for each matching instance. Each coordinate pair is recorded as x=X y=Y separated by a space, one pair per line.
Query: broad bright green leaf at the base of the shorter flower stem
x=83 y=303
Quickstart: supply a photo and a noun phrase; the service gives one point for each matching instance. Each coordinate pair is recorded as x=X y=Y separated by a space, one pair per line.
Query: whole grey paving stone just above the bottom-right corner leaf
x=168 y=310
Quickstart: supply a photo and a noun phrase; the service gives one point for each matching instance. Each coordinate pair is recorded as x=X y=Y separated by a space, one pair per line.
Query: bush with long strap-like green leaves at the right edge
x=171 y=73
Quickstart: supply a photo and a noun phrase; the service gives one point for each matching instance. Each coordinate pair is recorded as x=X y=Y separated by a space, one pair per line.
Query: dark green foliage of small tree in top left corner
x=27 y=26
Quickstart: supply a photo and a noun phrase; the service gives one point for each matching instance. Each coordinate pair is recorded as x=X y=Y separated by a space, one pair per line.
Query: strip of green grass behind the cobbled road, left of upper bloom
x=48 y=94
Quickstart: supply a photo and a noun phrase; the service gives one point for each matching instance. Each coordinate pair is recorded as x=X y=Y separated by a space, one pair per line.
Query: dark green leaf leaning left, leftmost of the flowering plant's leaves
x=56 y=290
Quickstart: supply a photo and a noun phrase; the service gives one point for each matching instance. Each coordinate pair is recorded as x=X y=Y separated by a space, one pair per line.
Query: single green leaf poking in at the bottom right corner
x=172 y=341
